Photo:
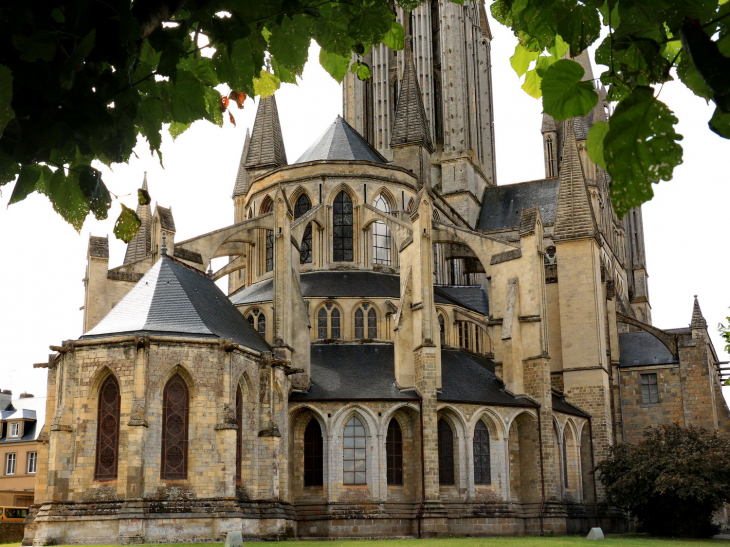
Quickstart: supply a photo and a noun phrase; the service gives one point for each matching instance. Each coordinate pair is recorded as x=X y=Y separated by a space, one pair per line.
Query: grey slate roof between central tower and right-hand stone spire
x=502 y=206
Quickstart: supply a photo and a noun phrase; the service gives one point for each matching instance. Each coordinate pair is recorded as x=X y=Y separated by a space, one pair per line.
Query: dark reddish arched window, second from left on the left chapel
x=175 y=430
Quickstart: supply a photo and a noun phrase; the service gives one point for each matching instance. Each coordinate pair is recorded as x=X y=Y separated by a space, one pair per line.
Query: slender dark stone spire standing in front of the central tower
x=410 y=125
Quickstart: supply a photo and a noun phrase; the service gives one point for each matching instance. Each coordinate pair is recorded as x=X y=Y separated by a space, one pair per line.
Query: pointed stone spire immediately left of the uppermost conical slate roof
x=266 y=148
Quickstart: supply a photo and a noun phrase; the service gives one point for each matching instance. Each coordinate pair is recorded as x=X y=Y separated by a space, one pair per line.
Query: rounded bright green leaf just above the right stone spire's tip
x=564 y=94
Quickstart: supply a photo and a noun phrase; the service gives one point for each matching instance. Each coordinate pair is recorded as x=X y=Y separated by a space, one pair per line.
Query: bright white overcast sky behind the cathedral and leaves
x=43 y=259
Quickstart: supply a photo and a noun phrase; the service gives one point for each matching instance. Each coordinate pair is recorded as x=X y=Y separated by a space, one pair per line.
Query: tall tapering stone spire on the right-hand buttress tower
x=574 y=217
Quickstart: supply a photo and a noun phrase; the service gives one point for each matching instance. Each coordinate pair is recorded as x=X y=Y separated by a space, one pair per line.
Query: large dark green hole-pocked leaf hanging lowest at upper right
x=640 y=148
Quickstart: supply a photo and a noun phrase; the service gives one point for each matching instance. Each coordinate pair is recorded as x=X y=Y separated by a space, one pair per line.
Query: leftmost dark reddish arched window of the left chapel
x=107 y=437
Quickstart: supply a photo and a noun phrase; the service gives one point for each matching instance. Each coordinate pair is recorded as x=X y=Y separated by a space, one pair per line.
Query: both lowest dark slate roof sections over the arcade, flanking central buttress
x=367 y=371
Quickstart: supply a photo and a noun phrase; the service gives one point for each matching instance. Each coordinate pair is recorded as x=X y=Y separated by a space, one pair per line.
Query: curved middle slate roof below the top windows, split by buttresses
x=353 y=284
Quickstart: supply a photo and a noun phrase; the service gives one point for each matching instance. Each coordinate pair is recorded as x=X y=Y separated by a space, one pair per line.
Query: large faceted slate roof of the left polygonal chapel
x=174 y=299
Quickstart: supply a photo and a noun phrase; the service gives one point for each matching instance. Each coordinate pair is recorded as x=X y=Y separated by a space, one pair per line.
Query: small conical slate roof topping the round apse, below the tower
x=341 y=142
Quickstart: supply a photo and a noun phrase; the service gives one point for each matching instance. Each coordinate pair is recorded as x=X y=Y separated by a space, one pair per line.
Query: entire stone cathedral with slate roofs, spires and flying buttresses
x=405 y=348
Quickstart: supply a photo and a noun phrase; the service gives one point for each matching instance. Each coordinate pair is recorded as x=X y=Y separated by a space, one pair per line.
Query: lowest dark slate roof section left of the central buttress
x=352 y=371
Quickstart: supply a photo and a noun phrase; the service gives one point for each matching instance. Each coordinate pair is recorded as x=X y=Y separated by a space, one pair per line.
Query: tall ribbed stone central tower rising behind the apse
x=451 y=52
